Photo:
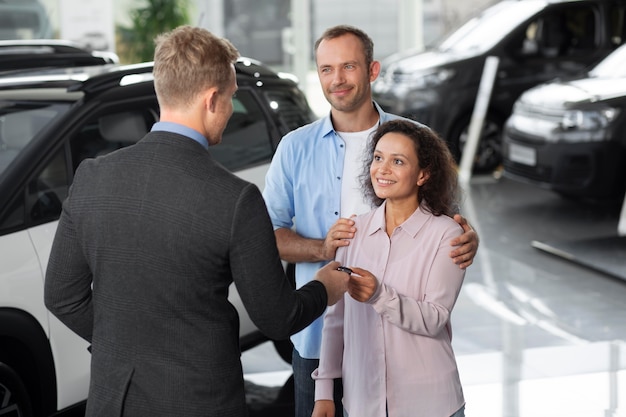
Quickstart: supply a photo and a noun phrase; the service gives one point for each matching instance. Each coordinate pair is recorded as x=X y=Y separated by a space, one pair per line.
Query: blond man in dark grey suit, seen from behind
x=149 y=241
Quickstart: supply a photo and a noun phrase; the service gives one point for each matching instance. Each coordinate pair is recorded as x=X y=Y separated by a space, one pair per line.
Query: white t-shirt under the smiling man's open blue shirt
x=352 y=198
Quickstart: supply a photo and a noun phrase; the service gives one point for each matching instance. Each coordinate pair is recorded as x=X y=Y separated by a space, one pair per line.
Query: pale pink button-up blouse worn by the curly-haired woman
x=396 y=350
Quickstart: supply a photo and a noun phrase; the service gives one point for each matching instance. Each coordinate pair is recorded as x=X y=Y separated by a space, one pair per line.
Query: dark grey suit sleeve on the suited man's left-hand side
x=67 y=289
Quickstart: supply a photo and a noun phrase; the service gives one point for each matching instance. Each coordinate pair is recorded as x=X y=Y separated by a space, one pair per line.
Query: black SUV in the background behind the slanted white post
x=535 y=41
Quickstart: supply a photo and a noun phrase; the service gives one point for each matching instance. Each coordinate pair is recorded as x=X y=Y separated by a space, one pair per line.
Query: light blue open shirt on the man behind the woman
x=303 y=187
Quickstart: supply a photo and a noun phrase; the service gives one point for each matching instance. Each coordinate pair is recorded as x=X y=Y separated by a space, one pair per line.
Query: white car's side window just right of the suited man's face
x=246 y=139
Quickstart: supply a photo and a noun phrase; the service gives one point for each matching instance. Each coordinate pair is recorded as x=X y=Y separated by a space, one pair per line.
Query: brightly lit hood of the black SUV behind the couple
x=423 y=61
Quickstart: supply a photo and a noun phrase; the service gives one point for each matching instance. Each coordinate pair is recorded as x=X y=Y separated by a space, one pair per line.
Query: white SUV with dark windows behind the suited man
x=49 y=123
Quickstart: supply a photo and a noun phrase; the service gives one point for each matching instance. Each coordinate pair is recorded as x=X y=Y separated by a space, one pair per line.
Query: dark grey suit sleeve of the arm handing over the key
x=273 y=305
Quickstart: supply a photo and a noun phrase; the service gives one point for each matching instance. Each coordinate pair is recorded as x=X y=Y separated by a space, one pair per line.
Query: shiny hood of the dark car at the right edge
x=570 y=93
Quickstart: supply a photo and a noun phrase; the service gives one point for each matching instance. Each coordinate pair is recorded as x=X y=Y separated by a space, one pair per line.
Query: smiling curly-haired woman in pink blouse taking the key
x=390 y=336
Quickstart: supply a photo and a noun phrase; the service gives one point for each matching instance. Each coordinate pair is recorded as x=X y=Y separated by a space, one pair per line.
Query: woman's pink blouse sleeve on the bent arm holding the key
x=431 y=313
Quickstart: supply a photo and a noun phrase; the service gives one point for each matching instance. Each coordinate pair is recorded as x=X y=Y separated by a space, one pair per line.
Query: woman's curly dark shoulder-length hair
x=440 y=192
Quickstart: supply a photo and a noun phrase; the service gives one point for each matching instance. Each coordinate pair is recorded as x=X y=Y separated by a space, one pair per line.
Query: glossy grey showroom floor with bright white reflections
x=535 y=335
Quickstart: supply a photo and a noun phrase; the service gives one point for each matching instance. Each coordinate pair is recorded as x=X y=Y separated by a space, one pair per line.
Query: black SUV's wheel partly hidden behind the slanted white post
x=489 y=152
